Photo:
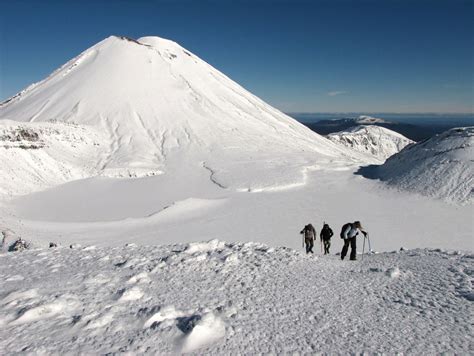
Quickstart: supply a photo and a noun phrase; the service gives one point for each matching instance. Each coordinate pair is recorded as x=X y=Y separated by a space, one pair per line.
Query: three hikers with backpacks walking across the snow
x=349 y=234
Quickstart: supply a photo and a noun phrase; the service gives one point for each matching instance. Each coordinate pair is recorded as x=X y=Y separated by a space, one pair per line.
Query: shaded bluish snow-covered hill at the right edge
x=441 y=167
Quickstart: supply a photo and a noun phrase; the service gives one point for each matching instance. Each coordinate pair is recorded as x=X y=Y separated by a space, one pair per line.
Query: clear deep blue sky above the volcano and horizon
x=300 y=56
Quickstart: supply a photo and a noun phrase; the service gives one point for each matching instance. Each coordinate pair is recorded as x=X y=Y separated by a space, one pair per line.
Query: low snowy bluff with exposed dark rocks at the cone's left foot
x=44 y=154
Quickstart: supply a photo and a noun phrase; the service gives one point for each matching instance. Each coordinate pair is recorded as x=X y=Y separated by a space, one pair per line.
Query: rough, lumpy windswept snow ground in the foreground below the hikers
x=234 y=298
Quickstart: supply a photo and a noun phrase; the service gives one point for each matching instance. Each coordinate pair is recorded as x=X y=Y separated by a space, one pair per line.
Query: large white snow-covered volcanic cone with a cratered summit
x=160 y=107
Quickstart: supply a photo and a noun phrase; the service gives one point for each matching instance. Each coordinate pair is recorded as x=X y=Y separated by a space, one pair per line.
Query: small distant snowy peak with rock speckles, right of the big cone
x=375 y=141
